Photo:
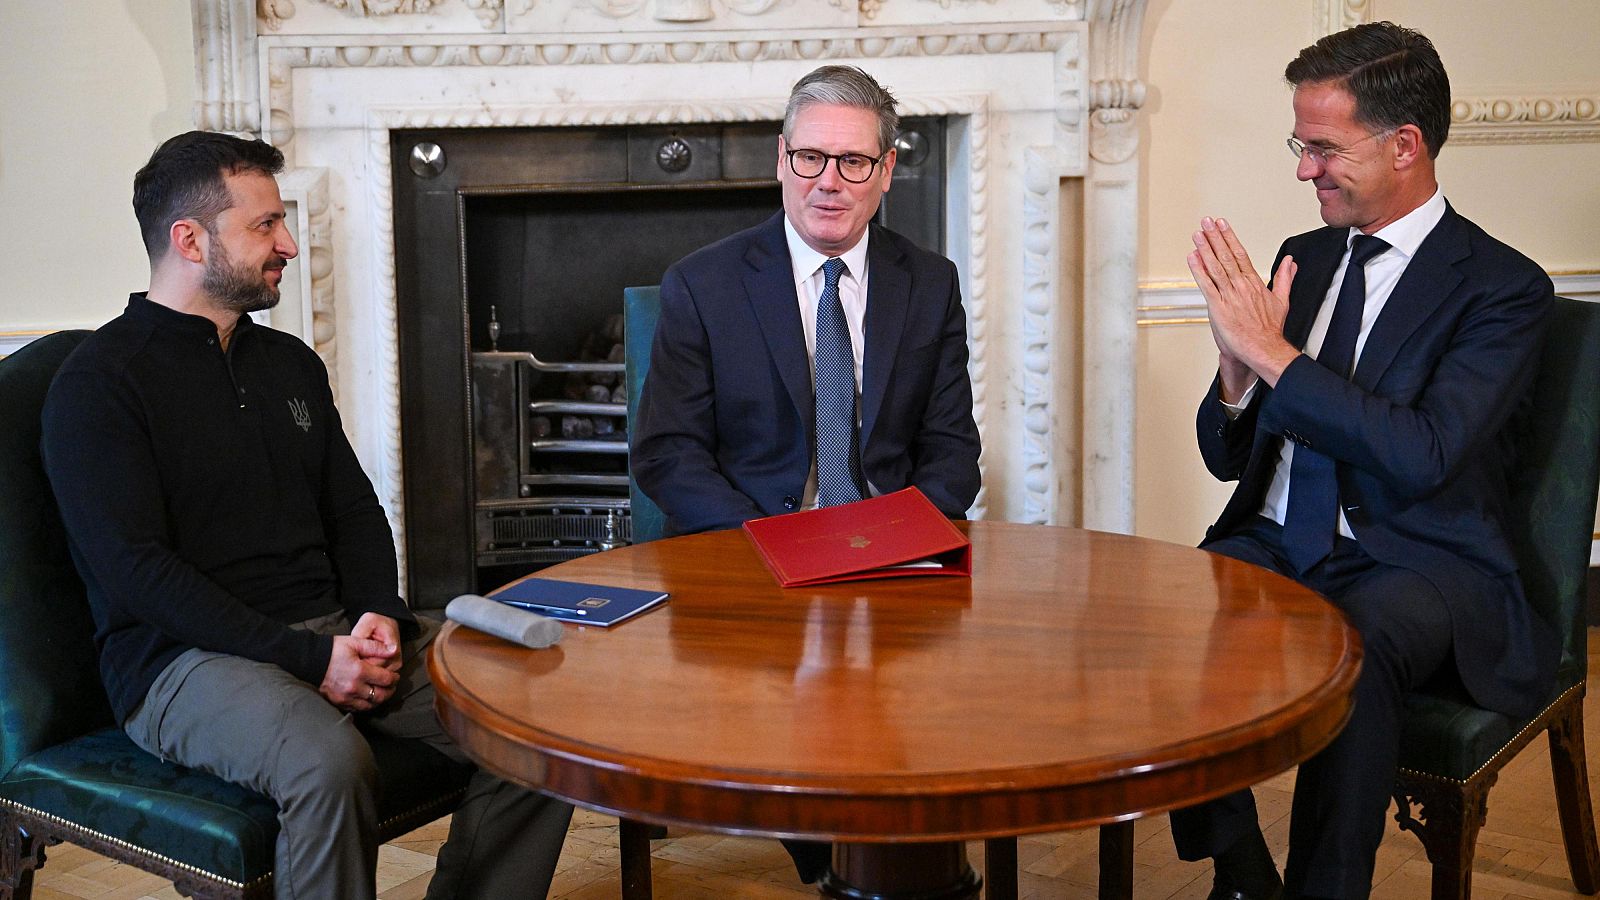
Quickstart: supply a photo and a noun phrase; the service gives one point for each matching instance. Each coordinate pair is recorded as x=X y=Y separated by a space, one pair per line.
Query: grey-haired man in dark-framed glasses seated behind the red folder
x=818 y=358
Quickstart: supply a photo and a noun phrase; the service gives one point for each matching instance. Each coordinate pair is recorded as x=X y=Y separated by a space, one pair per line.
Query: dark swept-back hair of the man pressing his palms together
x=1393 y=73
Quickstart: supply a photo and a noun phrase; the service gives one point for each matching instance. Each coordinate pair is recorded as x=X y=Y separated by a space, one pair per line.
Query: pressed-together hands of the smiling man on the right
x=1247 y=318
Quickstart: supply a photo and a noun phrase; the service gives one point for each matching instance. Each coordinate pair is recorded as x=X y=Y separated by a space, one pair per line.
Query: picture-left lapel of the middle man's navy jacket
x=770 y=287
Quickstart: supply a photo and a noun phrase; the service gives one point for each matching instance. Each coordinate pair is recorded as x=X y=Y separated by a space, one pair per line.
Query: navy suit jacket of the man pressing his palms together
x=1422 y=436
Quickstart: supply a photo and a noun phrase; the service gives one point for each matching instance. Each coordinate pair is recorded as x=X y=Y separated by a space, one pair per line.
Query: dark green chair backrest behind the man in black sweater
x=50 y=688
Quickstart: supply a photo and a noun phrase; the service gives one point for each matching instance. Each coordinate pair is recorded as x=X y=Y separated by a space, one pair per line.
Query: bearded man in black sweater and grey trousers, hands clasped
x=239 y=568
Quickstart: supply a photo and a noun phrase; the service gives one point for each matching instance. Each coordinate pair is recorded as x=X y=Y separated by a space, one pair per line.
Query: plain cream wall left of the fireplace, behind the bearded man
x=90 y=87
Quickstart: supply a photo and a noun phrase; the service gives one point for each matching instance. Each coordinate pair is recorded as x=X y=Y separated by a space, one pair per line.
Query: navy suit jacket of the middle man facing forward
x=726 y=420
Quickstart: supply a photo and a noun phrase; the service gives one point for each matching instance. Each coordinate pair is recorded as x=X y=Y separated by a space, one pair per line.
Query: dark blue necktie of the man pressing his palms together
x=1313 y=513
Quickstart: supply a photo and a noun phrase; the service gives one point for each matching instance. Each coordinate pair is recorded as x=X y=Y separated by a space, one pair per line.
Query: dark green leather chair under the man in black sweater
x=66 y=771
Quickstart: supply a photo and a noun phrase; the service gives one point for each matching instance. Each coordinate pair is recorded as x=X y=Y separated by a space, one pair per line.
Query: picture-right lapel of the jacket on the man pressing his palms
x=1426 y=283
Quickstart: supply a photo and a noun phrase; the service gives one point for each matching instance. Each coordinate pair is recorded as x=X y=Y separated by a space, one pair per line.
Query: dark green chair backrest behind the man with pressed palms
x=1553 y=492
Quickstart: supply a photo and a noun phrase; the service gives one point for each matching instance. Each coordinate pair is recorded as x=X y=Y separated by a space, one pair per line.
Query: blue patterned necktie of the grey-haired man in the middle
x=836 y=396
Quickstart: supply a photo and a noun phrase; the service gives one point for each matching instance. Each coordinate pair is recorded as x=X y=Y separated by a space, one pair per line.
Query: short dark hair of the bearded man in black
x=185 y=180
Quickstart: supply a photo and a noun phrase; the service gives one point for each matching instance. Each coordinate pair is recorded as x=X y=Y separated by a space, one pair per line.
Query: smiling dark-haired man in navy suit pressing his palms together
x=1364 y=403
